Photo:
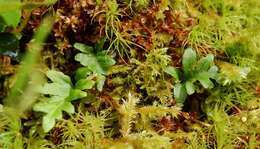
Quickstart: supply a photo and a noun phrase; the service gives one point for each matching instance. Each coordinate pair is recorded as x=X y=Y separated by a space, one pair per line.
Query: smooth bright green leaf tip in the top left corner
x=11 y=14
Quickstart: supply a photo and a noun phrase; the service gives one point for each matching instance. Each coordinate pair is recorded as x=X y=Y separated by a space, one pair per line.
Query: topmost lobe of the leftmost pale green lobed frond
x=58 y=77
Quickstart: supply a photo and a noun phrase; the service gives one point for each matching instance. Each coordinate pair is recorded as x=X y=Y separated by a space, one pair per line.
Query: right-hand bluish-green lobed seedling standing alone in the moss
x=192 y=71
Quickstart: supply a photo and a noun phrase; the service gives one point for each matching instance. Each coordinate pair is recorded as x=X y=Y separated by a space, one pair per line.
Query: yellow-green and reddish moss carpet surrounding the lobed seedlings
x=136 y=107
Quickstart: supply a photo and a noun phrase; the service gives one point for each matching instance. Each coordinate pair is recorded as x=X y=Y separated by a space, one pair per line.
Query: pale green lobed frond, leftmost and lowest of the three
x=61 y=94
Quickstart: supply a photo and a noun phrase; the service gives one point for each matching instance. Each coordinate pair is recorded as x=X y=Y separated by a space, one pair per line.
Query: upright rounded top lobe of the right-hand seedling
x=189 y=59
